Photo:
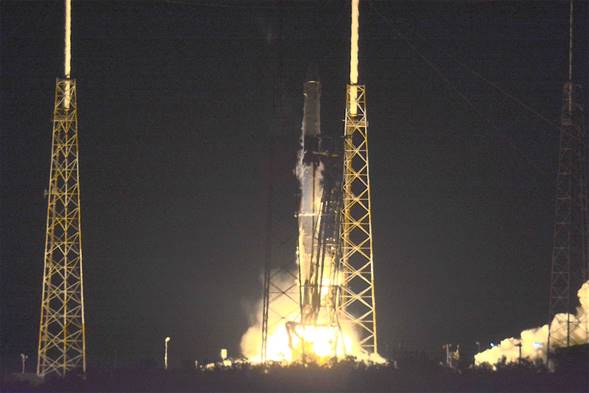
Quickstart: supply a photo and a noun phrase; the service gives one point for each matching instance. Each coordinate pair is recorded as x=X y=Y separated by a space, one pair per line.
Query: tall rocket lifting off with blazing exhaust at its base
x=317 y=333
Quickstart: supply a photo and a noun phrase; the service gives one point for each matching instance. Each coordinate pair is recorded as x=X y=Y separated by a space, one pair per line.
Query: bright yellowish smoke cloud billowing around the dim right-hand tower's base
x=533 y=341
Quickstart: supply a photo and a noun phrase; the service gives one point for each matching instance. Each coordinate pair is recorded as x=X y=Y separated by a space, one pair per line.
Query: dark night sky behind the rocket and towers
x=175 y=101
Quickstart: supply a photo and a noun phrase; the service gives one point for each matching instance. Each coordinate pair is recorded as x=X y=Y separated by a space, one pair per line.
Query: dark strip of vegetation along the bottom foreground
x=412 y=375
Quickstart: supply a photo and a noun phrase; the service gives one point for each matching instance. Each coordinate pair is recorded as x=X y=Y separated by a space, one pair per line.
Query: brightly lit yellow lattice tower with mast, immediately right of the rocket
x=357 y=305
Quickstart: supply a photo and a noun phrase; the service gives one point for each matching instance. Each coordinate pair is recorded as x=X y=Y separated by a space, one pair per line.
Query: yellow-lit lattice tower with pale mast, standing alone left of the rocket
x=62 y=340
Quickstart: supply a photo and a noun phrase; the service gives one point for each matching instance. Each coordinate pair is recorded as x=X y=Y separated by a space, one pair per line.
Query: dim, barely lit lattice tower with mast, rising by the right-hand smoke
x=569 y=255
